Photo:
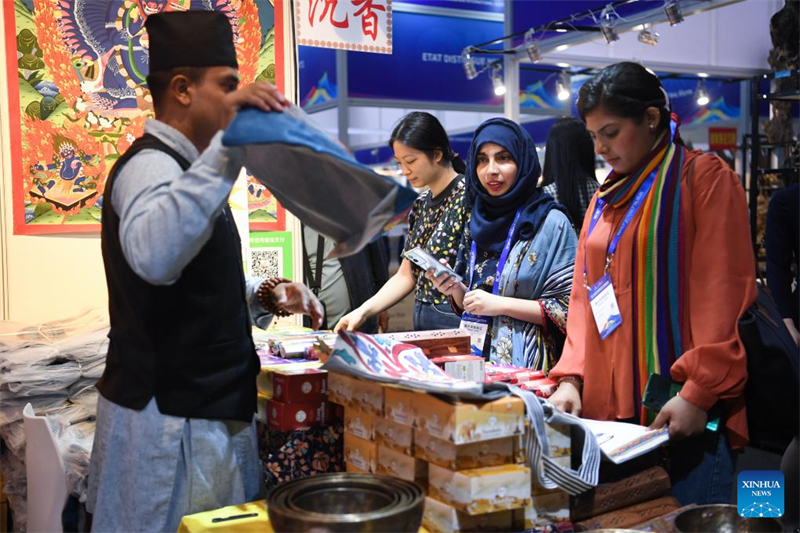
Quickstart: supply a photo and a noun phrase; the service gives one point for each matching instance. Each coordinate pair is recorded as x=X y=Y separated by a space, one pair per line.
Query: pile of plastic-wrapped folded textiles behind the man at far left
x=53 y=366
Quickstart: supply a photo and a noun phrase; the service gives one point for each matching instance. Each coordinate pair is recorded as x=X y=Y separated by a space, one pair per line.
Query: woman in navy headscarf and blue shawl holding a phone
x=516 y=255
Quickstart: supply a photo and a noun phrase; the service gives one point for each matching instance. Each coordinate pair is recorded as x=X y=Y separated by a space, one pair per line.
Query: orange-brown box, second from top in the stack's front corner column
x=464 y=456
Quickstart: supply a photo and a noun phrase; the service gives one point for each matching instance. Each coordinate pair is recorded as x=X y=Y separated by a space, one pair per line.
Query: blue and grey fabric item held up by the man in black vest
x=316 y=179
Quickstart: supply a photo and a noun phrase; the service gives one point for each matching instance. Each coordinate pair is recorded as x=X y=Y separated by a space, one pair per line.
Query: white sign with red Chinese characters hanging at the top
x=358 y=25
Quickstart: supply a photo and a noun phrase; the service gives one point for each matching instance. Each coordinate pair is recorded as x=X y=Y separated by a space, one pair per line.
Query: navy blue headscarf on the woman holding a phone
x=492 y=215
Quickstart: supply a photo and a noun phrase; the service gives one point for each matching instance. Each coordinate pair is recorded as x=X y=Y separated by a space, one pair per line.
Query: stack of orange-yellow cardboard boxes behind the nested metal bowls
x=469 y=456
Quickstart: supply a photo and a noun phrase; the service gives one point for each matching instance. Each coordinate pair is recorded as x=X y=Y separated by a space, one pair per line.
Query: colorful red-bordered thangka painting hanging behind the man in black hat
x=78 y=96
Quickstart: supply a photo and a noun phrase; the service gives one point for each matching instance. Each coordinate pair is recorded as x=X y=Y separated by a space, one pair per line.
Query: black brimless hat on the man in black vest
x=190 y=39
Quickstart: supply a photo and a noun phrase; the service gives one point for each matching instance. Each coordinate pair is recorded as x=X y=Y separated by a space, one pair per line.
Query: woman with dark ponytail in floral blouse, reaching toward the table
x=436 y=222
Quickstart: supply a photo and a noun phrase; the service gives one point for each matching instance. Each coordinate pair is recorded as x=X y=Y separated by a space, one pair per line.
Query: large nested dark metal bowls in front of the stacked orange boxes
x=346 y=502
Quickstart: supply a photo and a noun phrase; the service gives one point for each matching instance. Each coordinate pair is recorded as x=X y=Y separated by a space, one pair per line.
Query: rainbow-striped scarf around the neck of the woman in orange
x=657 y=262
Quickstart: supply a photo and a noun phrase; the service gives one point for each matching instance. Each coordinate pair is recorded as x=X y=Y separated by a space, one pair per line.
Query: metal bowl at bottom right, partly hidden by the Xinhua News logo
x=722 y=519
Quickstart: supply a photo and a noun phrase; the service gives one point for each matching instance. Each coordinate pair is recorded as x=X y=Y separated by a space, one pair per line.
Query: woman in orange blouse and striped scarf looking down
x=667 y=233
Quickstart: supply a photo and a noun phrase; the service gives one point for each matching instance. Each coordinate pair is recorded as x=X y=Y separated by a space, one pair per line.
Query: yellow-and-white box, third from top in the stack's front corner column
x=481 y=490
